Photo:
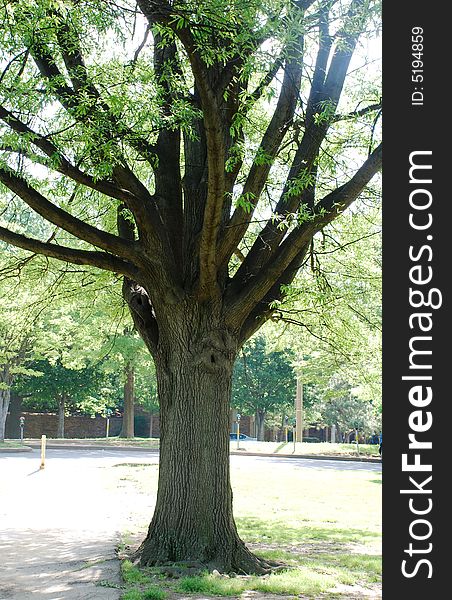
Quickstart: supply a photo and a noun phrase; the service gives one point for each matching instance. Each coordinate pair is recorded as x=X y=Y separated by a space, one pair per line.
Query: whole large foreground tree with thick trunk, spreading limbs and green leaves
x=155 y=158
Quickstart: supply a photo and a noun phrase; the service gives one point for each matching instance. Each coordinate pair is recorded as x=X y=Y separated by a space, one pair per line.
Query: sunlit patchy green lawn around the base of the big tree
x=324 y=524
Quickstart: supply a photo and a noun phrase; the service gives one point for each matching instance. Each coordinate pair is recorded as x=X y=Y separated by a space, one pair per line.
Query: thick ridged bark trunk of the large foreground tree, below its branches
x=193 y=518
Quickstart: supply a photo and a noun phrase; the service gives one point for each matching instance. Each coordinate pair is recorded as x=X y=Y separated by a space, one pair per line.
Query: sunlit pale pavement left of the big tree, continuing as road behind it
x=59 y=526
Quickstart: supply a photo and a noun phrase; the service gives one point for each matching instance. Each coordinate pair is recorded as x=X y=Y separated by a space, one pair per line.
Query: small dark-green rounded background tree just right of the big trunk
x=263 y=382
